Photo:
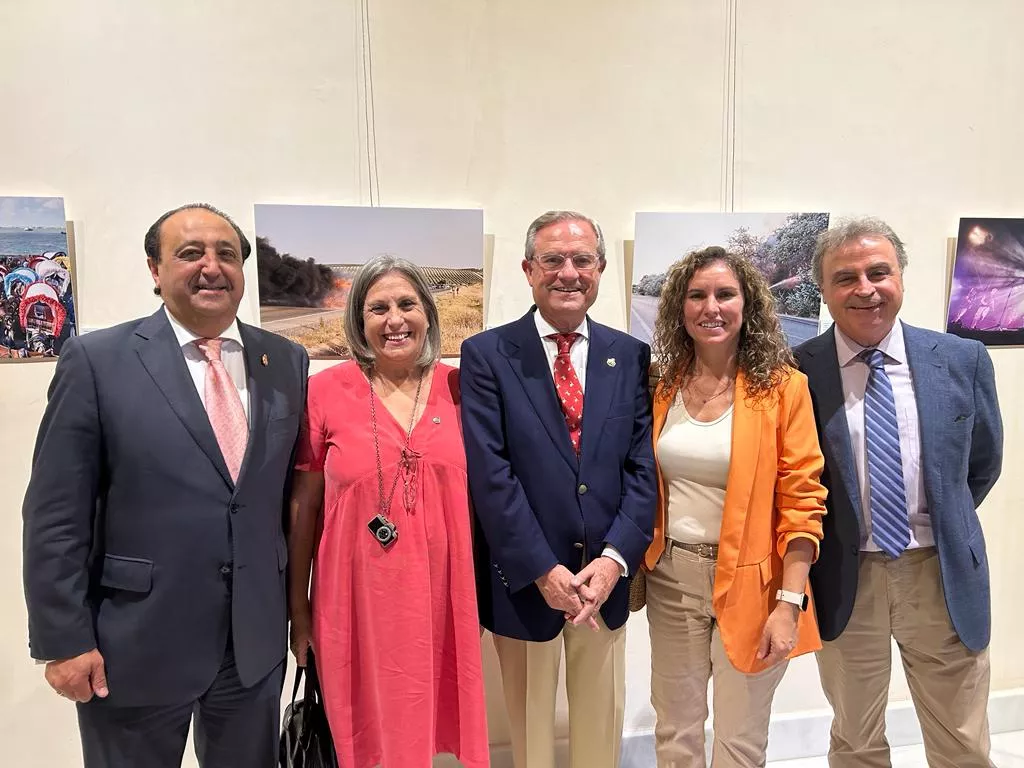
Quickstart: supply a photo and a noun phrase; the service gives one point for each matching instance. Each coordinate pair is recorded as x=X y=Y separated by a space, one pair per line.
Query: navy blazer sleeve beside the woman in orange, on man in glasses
x=633 y=529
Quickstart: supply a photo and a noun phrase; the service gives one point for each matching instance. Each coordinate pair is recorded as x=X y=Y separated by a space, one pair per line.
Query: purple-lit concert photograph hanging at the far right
x=987 y=297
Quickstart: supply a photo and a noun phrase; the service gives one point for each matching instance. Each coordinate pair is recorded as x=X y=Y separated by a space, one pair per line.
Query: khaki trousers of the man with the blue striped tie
x=904 y=600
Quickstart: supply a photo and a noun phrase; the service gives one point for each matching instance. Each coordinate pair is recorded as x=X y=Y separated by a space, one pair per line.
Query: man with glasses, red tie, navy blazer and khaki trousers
x=558 y=423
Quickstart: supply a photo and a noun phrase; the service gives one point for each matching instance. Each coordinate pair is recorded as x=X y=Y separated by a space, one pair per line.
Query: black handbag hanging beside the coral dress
x=306 y=738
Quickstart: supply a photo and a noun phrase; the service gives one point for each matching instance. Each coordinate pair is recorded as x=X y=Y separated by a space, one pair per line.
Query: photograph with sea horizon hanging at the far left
x=37 y=304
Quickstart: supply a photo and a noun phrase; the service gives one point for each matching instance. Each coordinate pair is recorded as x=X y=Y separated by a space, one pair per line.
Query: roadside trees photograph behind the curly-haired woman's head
x=781 y=246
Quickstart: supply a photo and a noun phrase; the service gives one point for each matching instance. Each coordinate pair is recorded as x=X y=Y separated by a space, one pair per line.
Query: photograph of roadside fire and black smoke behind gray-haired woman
x=308 y=257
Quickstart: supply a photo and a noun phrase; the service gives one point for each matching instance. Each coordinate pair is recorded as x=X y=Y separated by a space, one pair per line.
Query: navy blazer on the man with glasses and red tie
x=538 y=505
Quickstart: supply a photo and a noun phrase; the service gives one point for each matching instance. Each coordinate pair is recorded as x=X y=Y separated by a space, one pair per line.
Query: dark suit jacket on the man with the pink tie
x=137 y=541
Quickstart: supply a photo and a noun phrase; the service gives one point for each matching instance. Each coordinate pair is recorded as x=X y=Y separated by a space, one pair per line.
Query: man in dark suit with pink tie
x=154 y=546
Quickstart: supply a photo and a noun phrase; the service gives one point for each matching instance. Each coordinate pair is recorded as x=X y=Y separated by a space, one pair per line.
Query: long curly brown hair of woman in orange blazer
x=764 y=356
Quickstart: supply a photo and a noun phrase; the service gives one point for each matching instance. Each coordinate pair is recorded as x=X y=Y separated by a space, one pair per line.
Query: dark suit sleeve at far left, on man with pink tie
x=60 y=510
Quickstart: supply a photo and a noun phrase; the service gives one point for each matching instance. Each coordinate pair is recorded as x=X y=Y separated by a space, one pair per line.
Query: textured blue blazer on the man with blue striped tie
x=961 y=457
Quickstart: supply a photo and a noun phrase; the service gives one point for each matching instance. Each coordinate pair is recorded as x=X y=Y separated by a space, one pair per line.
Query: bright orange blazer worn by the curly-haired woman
x=773 y=497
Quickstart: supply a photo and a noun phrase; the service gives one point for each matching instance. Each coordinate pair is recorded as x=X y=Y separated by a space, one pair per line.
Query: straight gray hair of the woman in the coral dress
x=369 y=274
